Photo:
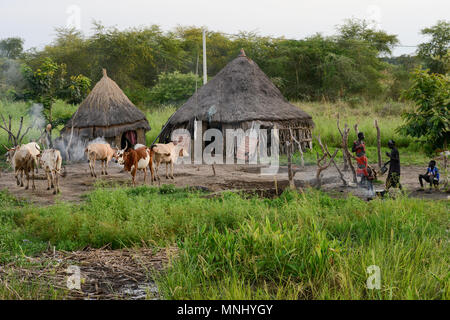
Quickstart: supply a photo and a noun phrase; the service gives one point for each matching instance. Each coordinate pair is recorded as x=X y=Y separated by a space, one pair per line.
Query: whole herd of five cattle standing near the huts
x=27 y=158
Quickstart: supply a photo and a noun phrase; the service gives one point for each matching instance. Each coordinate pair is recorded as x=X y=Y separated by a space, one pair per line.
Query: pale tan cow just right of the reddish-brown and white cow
x=168 y=154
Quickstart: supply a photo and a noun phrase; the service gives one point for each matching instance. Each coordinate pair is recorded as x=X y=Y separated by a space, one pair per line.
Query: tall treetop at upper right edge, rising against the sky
x=433 y=51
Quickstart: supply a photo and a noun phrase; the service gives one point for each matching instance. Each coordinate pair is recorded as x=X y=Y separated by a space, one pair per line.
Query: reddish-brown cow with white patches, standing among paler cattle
x=134 y=160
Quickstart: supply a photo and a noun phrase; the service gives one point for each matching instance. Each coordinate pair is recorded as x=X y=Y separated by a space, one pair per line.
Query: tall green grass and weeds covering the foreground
x=296 y=246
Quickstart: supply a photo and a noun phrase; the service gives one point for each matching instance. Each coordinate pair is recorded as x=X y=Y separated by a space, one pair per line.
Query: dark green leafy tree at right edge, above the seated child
x=429 y=122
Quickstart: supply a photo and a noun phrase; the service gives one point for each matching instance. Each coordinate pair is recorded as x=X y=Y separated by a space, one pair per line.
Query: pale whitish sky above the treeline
x=35 y=20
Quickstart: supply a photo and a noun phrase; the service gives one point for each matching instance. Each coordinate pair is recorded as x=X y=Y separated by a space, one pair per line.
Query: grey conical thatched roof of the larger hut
x=239 y=96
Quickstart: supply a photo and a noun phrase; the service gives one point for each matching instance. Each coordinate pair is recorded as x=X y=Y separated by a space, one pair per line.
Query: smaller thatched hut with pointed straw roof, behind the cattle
x=107 y=112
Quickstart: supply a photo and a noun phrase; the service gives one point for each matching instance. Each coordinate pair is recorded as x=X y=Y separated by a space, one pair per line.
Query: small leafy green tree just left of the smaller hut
x=50 y=82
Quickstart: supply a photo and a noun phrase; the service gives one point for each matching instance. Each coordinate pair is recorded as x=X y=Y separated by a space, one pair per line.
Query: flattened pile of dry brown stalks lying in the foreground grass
x=104 y=274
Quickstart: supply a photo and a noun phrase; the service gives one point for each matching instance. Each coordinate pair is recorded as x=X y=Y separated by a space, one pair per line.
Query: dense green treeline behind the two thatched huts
x=154 y=66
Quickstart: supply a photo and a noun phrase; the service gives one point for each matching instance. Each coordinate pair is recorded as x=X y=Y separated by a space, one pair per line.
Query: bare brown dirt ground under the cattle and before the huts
x=77 y=181
